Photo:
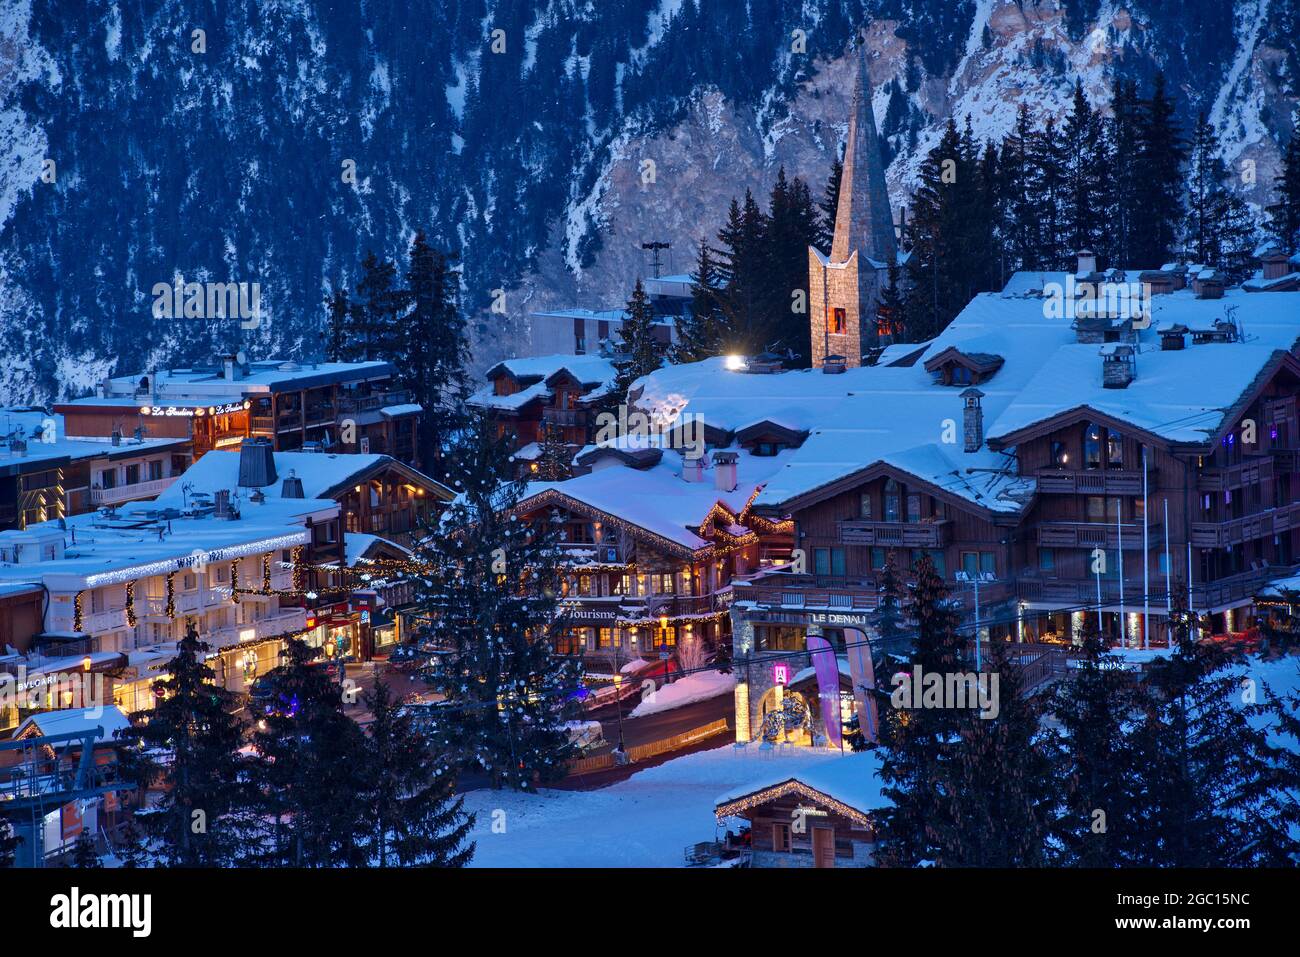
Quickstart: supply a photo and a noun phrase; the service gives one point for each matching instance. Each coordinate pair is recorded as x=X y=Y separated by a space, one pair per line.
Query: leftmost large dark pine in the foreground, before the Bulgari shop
x=197 y=822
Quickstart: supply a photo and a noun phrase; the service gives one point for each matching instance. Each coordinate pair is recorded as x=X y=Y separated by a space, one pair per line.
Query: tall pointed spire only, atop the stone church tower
x=863 y=219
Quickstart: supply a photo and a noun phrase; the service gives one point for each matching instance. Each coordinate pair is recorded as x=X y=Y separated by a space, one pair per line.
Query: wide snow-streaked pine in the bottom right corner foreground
x=1208 y=777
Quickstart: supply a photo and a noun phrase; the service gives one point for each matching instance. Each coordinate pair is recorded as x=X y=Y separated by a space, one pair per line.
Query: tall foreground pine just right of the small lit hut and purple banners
x=917 y=746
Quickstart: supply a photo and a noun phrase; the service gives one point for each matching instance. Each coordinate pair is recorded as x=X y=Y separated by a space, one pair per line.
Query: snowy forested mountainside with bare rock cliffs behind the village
x=291 y=137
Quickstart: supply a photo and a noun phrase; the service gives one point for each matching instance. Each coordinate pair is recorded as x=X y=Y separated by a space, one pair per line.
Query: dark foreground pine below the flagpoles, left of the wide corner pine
x=1094 y=760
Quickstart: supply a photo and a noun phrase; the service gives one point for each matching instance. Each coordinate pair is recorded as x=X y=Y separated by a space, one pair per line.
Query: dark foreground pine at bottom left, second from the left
x=311 y=769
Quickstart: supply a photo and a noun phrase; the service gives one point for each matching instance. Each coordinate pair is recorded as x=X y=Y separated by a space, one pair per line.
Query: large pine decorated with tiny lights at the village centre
x=491 y=586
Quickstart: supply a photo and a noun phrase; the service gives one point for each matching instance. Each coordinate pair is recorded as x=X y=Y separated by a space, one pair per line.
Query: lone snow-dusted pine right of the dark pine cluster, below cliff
x=1219 y=229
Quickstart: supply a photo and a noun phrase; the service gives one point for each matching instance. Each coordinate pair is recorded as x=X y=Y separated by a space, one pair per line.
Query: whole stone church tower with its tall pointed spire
x=844 y=288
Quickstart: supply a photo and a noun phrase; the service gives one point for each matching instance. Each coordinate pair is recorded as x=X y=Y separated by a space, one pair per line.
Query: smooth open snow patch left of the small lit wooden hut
x=647 y=821
